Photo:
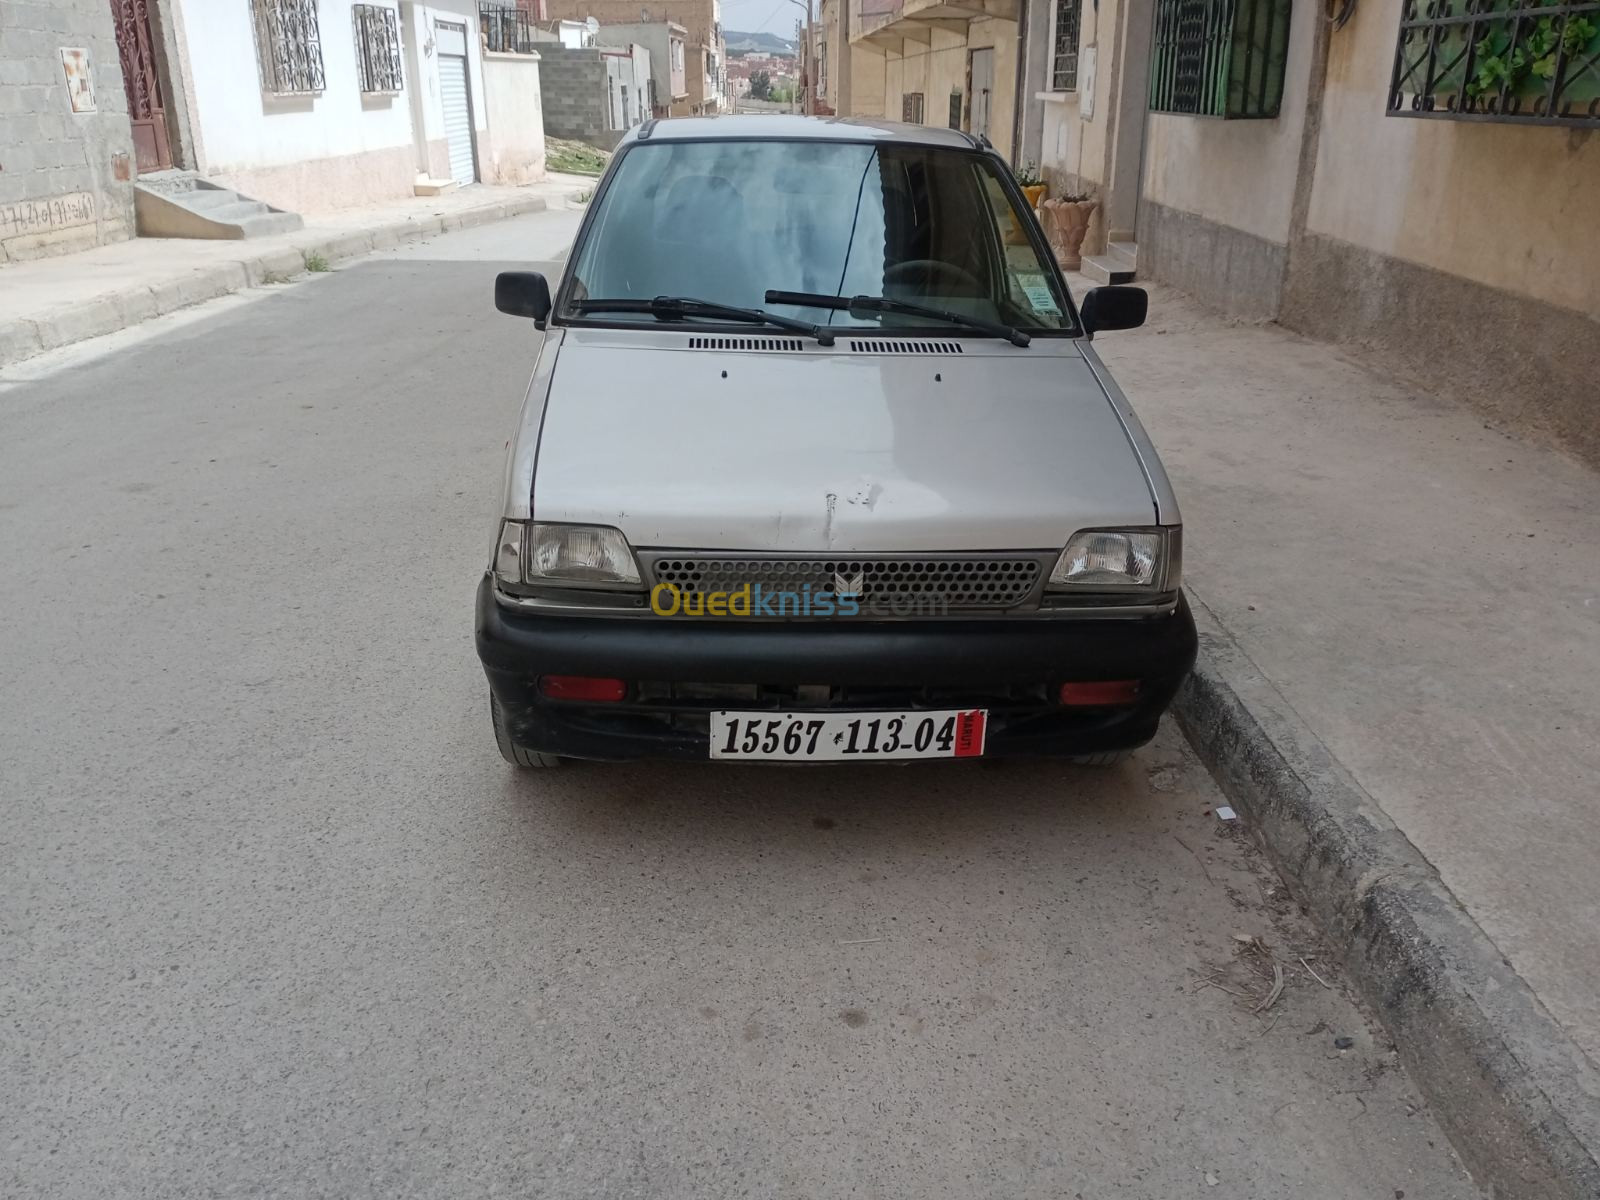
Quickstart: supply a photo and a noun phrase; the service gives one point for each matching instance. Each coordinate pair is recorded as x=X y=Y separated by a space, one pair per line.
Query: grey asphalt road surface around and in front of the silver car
x=278 y=921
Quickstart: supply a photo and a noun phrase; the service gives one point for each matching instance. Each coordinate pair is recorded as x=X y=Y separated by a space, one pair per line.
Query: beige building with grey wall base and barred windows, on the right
x=1316 y=178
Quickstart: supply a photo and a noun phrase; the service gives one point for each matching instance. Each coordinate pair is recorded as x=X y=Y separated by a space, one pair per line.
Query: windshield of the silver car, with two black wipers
x=730 y=222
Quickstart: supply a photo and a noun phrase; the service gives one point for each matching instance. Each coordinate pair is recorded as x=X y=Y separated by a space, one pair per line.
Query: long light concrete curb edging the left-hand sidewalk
x=113 y=311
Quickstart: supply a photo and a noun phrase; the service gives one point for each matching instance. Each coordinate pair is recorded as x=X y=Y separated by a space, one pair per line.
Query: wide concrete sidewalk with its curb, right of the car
x=1385 y=577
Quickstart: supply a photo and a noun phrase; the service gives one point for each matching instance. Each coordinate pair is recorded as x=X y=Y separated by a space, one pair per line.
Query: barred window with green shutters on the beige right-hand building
x=1220 y=58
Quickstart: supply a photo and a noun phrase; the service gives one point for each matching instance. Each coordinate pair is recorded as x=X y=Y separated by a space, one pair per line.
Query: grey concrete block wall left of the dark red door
x=66 y=178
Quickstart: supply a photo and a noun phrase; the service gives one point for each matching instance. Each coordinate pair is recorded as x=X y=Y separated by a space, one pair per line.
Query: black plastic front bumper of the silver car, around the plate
x=682 y=670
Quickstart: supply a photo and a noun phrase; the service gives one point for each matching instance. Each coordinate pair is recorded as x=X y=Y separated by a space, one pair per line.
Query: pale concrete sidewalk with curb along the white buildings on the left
x=54 y=302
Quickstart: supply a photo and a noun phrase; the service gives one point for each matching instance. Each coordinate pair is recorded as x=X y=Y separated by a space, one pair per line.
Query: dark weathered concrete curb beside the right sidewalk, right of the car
x=1514 y=1094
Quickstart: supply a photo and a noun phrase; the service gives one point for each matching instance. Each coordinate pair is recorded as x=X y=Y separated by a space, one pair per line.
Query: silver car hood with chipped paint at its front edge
x=815 y=450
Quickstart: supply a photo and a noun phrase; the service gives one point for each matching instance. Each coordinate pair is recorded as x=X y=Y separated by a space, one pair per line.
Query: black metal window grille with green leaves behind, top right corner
x=1500 y=62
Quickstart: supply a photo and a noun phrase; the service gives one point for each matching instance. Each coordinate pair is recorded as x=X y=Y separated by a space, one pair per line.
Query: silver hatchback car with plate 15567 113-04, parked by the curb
x=818 y=465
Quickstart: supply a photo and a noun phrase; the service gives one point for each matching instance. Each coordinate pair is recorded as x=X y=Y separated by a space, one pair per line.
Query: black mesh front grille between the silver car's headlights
x=905 y=585
